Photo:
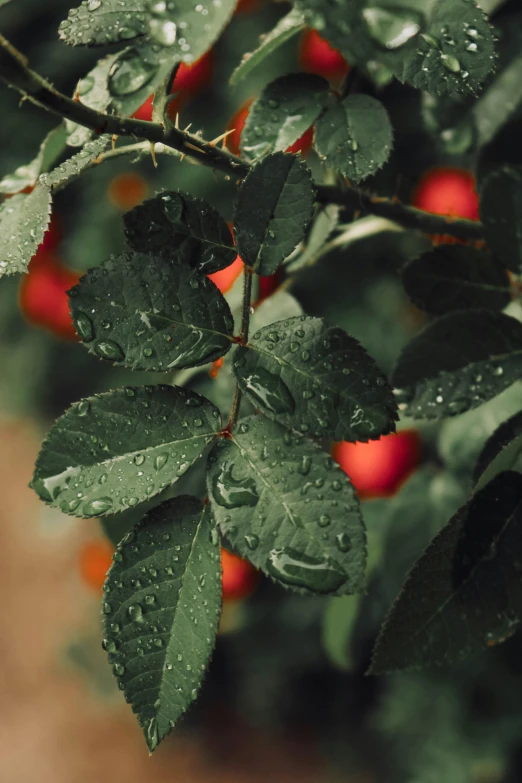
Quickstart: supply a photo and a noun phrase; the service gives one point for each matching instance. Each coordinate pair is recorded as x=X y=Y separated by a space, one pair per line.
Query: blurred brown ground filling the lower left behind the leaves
x=54 y=726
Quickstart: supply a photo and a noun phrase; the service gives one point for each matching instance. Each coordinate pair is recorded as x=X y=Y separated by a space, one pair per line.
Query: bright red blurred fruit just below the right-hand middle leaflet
x=378 y=468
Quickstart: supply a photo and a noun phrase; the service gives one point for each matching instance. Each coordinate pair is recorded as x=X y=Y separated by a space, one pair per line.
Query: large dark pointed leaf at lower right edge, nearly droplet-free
x=469 y=583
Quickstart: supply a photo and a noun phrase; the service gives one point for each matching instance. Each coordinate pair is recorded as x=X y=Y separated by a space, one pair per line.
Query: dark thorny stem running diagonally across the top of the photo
x=15 y=72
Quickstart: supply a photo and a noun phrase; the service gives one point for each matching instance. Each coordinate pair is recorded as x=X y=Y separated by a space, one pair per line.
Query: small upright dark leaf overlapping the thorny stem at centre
x=272 y=211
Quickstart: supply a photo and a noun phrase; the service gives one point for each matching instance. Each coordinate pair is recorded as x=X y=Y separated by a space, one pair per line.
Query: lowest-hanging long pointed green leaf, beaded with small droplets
x=161 y=610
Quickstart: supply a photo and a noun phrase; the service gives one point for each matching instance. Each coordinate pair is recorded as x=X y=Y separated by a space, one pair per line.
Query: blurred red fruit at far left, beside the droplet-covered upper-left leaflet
x=43 y=299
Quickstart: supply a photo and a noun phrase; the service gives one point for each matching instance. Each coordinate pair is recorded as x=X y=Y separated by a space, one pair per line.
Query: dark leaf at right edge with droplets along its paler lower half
x=458 y=362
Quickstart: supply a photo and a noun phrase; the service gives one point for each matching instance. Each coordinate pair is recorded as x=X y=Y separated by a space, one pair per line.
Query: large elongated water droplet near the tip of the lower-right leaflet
x=293 y=568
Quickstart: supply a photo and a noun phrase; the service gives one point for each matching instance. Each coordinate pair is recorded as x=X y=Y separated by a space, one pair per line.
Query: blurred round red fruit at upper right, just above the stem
x=448 y=191
